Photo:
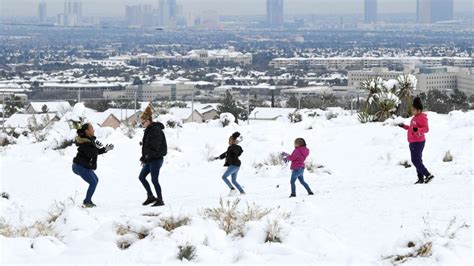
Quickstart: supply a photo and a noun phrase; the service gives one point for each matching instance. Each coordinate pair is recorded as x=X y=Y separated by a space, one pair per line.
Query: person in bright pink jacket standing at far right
x=416 y=137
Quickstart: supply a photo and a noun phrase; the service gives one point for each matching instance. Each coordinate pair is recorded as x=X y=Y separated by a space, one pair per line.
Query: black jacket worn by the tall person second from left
x=154 y=143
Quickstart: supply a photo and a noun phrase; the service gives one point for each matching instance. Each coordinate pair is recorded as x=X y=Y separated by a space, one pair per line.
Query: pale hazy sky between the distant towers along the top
x=224 y=7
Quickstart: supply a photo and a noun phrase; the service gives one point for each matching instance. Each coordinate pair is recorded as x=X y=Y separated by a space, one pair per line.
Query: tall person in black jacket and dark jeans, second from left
x=154 y=149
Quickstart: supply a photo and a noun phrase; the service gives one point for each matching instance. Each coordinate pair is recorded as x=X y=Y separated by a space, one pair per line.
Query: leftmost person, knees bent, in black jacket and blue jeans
x=85 y=162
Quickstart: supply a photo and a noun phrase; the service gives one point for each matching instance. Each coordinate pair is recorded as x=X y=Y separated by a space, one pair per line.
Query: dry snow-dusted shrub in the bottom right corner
x=425 y=245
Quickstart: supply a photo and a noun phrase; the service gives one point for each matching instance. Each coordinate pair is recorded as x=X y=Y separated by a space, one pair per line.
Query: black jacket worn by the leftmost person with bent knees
x=87 y=152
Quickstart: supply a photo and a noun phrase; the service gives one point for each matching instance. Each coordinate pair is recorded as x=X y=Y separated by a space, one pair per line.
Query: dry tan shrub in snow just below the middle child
x=231 y=219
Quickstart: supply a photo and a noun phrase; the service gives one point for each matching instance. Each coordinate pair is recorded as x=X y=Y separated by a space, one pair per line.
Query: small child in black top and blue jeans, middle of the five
x=233 y=163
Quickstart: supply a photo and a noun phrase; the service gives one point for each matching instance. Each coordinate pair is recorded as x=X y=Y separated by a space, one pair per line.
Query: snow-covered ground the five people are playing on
x=365 y=208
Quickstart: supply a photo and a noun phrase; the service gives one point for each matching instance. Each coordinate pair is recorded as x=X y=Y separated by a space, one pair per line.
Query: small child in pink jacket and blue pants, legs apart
x=297 y=159
